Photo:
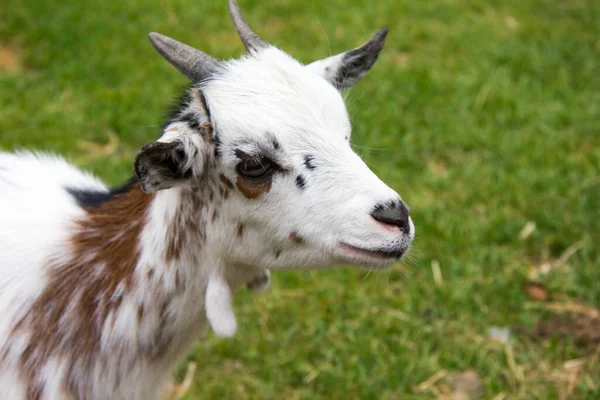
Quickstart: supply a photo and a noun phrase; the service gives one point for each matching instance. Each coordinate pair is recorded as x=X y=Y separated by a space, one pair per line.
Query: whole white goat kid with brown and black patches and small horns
x=103 y=291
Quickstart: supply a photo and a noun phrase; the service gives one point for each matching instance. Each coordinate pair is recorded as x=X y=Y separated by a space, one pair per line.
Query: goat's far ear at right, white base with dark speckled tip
x=346 y=69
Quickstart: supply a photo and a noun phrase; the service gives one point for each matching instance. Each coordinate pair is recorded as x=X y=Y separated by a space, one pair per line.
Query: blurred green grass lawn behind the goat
x=484 y=115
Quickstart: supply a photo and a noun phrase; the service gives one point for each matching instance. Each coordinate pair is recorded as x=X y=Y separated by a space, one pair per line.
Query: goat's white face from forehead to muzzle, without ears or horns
x=305 y=198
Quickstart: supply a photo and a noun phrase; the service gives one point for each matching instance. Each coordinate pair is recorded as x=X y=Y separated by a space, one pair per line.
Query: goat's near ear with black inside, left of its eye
x=161 y=165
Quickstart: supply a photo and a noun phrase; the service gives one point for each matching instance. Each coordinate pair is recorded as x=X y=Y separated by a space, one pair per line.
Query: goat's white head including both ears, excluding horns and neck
x=277 y=134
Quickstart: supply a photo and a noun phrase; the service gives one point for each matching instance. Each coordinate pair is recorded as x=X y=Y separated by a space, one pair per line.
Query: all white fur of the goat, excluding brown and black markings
x=267 y=93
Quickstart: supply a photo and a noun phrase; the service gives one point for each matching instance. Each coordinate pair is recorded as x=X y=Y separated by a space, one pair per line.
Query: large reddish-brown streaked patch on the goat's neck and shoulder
x=76 y=290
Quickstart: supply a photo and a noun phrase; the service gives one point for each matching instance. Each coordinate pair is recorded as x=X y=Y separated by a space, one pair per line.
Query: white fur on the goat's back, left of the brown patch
x=36 y=217
